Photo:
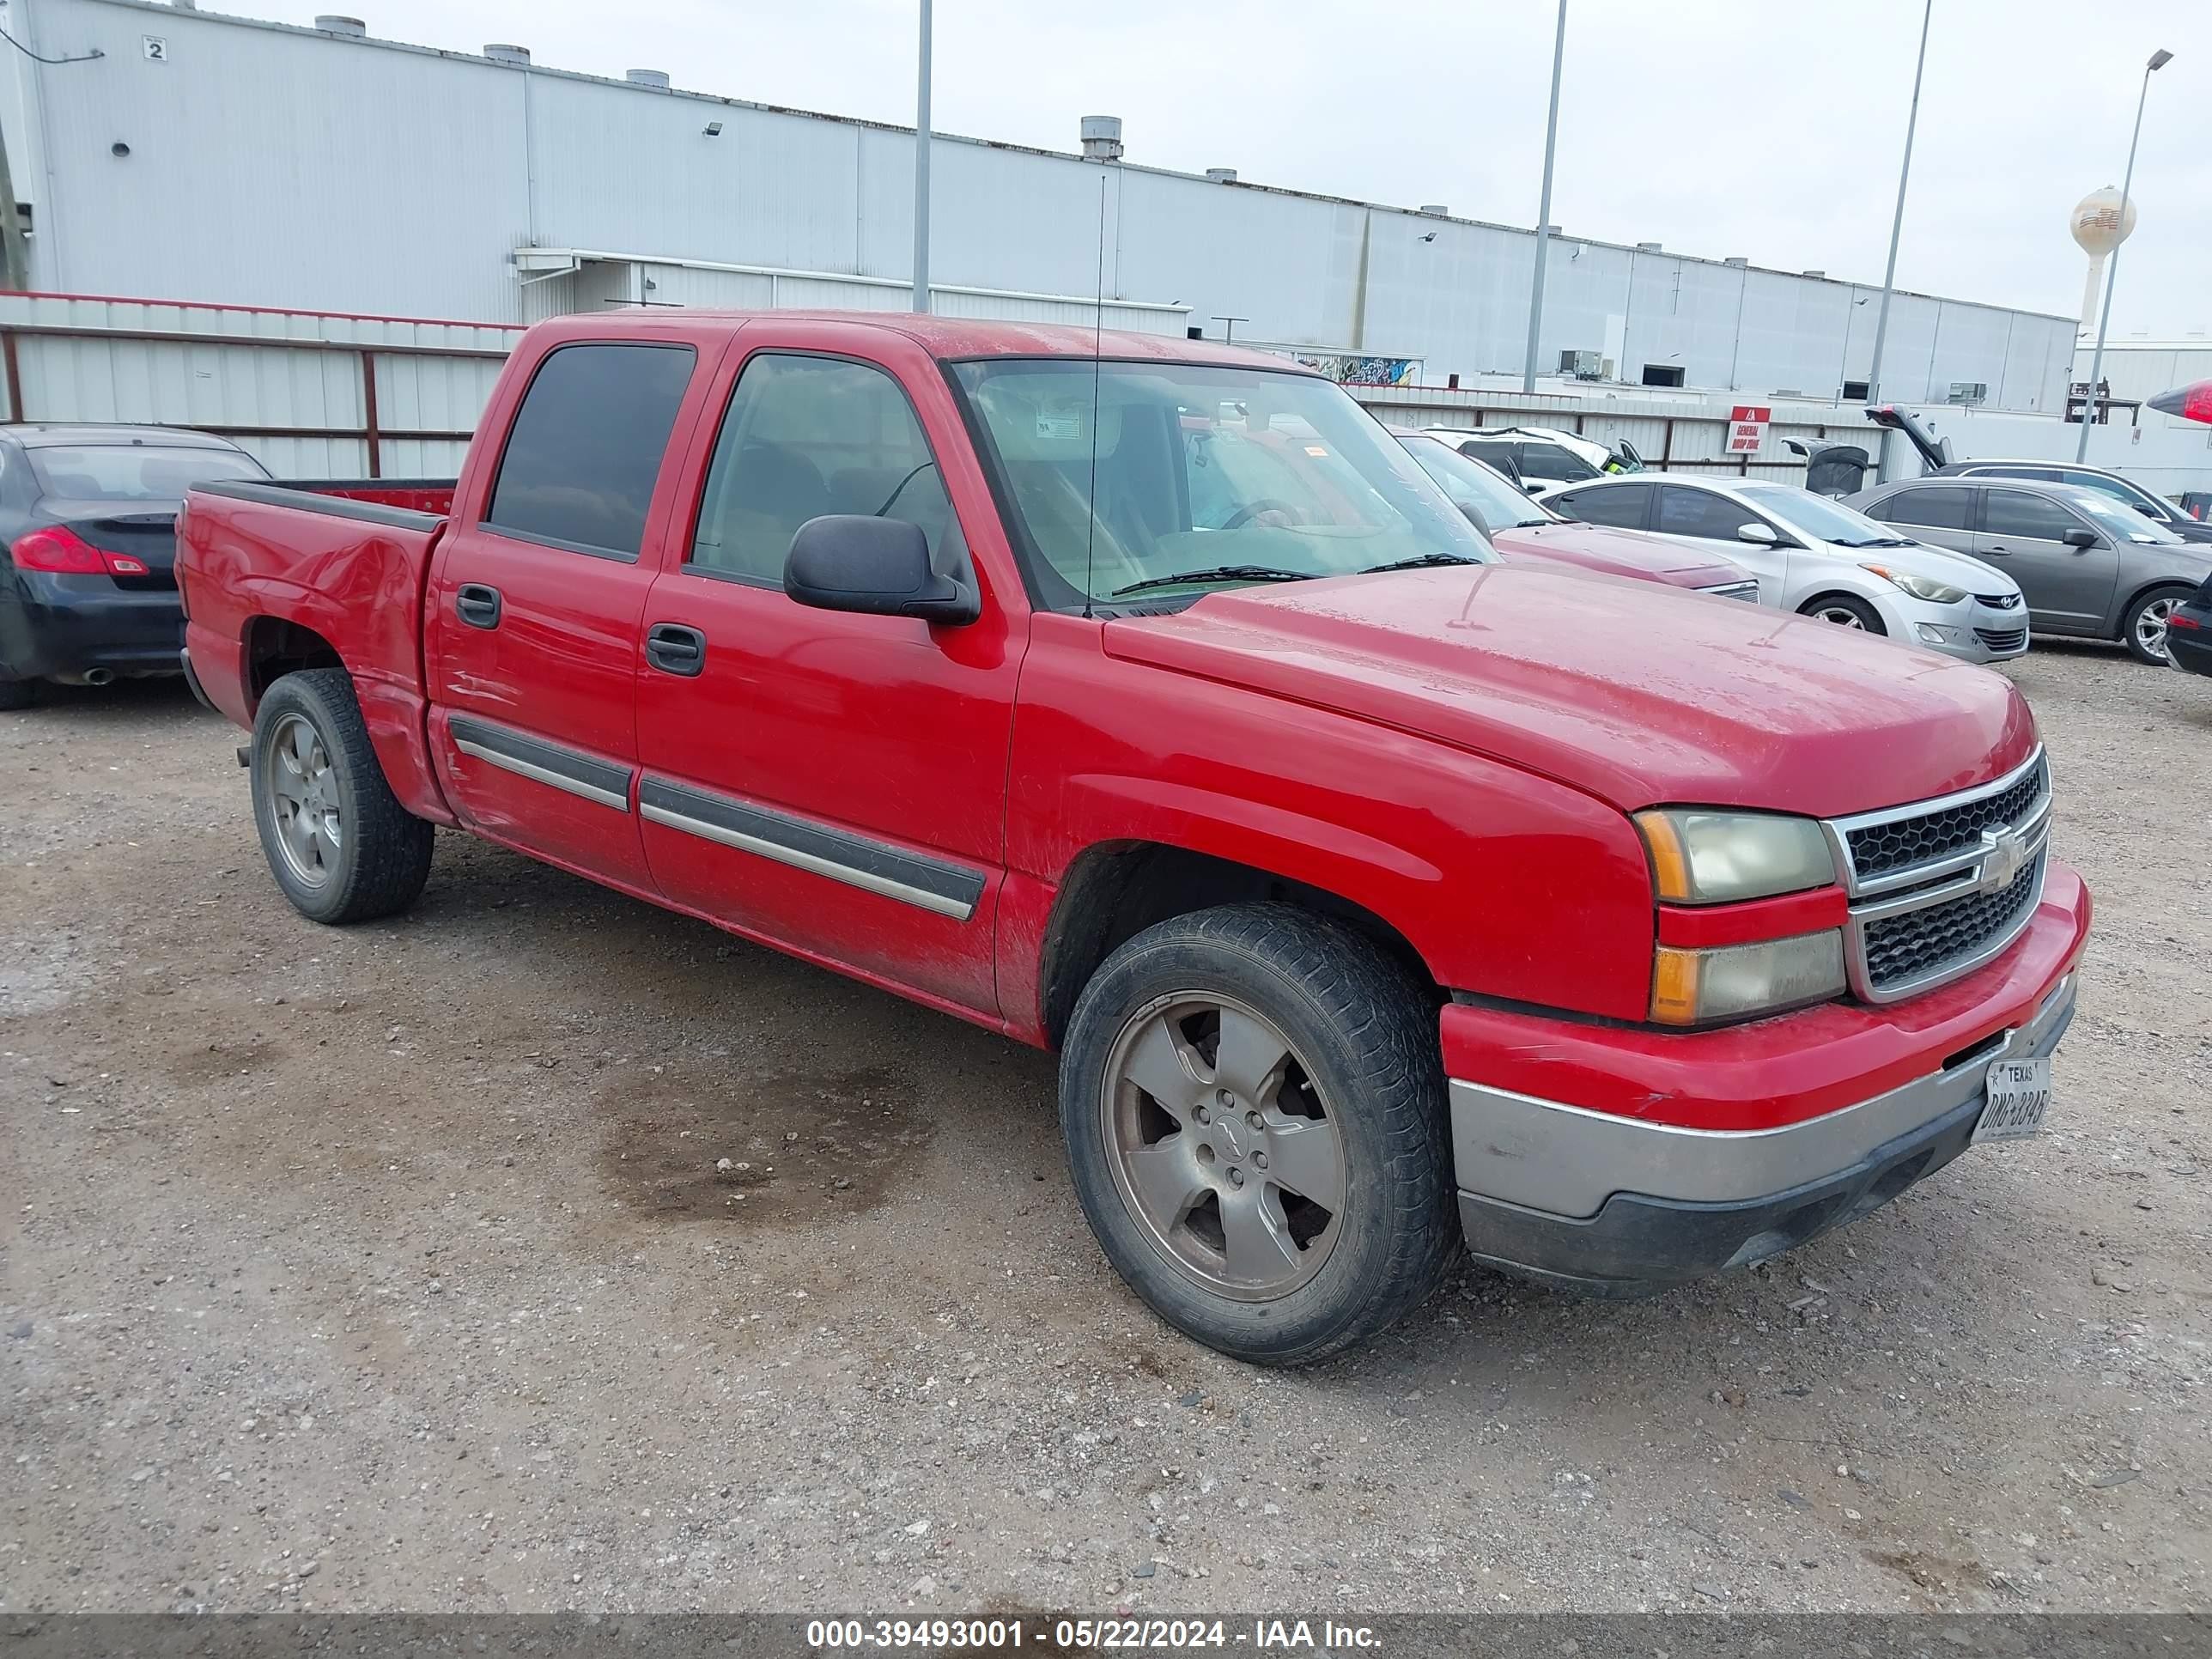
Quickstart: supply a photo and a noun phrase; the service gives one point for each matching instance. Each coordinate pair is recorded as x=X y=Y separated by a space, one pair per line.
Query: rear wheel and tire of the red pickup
x=340 y=844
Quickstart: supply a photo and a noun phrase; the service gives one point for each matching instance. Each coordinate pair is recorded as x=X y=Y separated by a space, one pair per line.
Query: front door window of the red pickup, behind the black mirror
x=811 y=437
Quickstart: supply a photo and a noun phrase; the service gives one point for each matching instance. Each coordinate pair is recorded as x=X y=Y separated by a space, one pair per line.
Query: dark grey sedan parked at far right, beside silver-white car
x=2087 y=565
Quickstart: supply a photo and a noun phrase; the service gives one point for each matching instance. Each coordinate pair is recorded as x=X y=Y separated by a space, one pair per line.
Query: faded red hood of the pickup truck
x=1629 y=693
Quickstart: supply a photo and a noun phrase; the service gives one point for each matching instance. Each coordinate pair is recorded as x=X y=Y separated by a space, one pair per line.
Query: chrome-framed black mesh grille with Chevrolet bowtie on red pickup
x=1943 y=886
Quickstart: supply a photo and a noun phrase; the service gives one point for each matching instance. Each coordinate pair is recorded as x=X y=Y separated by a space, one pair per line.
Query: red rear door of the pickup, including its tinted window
x=539 y=594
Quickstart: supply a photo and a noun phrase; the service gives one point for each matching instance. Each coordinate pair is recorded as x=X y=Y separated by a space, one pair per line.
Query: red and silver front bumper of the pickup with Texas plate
x=1722 y=1165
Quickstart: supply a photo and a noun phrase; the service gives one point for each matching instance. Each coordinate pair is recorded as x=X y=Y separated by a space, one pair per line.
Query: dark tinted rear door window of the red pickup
x=587 y=448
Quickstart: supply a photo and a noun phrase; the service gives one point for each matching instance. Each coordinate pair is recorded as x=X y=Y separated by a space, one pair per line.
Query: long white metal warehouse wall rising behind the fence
x=340 y=169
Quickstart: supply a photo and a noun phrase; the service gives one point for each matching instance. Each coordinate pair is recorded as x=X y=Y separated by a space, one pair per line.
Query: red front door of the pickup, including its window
x=828 y=782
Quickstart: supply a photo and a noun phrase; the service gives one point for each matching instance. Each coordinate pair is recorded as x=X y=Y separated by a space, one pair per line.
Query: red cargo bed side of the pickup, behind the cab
x=317 y=574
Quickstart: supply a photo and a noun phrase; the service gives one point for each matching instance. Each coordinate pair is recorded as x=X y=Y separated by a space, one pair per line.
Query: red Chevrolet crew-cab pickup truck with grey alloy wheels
x=1147 y=702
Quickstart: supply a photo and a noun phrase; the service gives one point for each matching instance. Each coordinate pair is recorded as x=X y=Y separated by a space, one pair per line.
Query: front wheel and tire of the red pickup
x=1361 y=1061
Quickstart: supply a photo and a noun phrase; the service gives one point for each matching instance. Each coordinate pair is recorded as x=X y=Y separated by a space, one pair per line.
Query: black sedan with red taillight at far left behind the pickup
x=87 y=543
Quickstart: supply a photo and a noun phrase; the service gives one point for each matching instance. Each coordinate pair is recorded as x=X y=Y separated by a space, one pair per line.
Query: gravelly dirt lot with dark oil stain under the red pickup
x=393 y=1269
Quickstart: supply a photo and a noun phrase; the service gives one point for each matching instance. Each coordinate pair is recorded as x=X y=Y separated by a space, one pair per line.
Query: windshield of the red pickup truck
x=1204 y=477
